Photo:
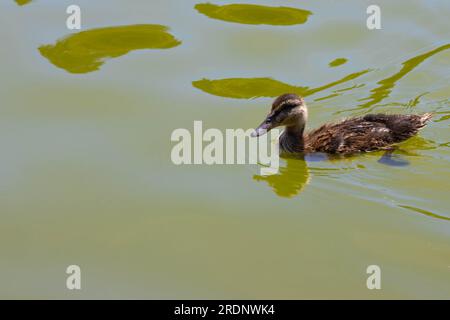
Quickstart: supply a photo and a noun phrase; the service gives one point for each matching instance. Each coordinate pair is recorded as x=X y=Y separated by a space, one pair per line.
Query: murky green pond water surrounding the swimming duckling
x=87 y=179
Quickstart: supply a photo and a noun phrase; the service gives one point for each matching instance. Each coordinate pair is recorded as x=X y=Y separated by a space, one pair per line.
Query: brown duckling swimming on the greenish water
x=358 y=134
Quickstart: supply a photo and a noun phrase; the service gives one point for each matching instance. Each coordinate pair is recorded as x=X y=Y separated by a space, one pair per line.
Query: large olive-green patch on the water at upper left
x=86 y=51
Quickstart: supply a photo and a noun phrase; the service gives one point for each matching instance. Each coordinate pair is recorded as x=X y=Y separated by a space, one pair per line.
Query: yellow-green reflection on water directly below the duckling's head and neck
x=291 y=179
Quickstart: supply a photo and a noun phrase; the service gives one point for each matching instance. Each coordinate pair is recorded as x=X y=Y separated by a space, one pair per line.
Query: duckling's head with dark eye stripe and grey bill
x=287 y=110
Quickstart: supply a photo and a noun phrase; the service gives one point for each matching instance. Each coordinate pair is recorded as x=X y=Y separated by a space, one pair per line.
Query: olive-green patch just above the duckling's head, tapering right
x=248 y=88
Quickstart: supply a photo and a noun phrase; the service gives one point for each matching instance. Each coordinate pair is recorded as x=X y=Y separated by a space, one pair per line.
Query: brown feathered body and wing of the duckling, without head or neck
x=368 y=133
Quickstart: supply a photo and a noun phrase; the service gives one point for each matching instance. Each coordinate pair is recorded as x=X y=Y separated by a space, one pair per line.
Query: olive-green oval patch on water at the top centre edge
x=254 y=14
